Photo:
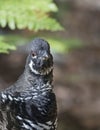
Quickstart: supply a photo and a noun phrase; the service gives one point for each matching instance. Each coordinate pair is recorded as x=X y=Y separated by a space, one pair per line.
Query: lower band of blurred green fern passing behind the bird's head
x=58 y=44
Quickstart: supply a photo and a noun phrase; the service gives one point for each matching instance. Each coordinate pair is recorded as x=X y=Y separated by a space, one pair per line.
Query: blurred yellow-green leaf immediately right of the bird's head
x=60 y=45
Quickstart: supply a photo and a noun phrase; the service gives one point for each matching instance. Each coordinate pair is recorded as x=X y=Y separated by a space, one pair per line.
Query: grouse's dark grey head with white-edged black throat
x=40 y=60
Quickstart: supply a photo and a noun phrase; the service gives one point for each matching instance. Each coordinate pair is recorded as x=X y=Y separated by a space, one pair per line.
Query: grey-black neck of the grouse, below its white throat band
x=40 y=81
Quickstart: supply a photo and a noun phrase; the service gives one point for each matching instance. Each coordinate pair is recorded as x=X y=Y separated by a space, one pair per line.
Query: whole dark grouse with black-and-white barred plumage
x=30 y=104
